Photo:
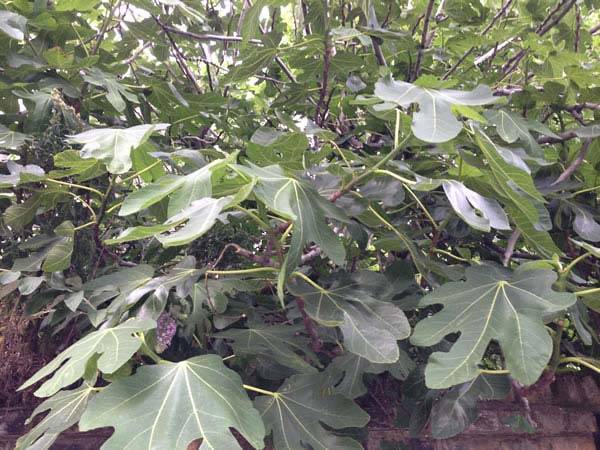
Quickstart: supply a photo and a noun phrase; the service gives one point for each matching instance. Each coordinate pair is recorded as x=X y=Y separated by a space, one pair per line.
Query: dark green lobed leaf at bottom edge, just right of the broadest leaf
x=295 y=413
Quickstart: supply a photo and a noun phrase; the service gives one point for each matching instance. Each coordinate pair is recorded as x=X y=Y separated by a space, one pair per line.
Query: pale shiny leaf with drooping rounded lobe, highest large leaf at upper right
x=434 y=122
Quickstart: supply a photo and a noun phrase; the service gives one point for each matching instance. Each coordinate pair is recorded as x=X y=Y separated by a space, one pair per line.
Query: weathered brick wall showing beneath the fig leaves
x=565 y=415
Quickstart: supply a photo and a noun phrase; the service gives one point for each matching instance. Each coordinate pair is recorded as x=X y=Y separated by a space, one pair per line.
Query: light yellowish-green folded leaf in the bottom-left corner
x=65 y=408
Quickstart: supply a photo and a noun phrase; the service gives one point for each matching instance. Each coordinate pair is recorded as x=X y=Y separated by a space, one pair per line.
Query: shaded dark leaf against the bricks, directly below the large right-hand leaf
x=457 y=409
